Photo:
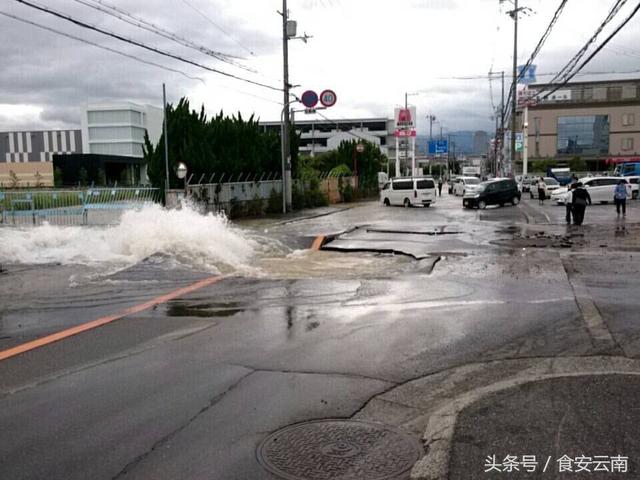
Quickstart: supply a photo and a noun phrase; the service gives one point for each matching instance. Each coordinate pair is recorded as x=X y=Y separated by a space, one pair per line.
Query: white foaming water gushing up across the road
x=207 y=242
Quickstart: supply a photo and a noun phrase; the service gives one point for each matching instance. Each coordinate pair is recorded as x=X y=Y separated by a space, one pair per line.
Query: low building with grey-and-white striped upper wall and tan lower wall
x=26 y=157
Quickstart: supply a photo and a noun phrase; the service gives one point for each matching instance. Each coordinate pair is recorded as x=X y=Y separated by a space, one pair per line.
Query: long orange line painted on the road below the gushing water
x=41 y=342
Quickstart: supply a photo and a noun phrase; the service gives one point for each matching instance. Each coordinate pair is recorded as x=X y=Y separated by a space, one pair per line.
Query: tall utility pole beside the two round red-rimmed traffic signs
x=286 y=124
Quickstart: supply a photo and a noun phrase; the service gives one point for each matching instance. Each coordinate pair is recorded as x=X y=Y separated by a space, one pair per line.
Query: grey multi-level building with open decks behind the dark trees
x=318 y=136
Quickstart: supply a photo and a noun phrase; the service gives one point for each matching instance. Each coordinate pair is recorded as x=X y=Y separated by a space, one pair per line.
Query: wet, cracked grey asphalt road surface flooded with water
x=190 y=388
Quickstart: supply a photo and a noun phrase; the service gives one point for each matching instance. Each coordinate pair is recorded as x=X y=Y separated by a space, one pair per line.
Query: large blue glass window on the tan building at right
x=587 y=135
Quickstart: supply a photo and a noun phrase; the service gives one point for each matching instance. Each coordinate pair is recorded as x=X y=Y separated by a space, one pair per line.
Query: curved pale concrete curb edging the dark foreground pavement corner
x=438 y=436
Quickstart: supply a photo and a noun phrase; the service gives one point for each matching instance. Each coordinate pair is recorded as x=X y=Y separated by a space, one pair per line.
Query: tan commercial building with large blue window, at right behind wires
x=596 y=121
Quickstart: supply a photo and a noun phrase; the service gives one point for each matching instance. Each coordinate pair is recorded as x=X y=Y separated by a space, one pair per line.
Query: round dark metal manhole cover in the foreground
x=339 y=450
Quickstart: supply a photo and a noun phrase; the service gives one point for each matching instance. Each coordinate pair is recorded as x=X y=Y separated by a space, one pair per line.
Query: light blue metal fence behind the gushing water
x=93 y=206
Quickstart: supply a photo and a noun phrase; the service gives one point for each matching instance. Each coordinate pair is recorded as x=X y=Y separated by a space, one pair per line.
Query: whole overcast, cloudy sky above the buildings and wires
x=369 y=51
